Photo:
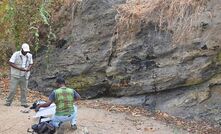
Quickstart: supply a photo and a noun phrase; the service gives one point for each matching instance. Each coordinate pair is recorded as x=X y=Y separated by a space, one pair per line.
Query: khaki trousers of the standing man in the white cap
x=14 y=82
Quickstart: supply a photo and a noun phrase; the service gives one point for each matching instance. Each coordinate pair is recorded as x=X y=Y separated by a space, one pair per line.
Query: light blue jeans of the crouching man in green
x=57 y=120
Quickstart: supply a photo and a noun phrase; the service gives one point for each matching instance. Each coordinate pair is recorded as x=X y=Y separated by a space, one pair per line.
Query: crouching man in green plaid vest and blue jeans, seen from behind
x=64 y=99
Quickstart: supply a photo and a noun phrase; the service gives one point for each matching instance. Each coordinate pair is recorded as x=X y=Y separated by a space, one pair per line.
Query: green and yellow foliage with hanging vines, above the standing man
x=22 y=20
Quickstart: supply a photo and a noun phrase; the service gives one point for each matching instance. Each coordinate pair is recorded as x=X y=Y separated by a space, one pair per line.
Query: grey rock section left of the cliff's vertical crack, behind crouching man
x=83 y=50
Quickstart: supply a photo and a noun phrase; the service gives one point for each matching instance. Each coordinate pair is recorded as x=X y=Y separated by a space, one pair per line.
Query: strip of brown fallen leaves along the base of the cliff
x=190 y=126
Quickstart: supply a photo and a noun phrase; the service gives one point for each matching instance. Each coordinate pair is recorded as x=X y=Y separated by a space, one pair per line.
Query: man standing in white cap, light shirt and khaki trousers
x=21 y=63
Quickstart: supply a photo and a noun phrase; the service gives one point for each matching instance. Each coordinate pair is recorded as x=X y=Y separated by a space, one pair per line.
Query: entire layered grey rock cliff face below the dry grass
x=98 y=61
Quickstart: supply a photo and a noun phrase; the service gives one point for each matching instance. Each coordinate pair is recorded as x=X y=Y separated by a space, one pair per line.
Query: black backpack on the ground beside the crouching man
x=43 y=128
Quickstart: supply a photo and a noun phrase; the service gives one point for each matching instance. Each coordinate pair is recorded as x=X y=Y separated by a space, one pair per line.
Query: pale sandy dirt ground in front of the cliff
x=90 y=120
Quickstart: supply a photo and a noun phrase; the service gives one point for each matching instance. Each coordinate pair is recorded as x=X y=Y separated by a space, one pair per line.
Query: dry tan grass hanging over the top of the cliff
x=174 y=15
